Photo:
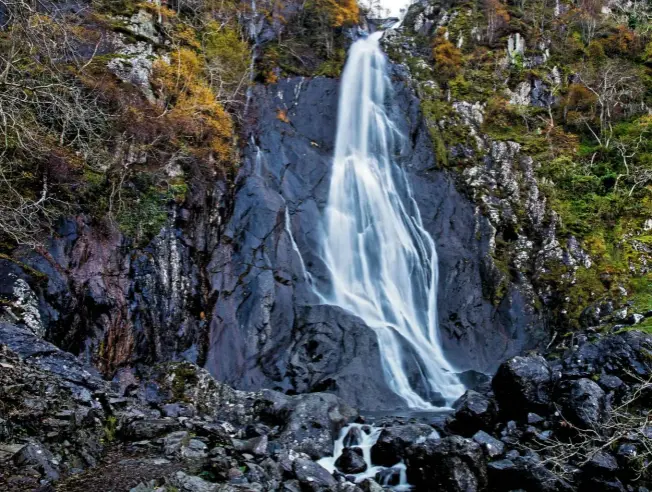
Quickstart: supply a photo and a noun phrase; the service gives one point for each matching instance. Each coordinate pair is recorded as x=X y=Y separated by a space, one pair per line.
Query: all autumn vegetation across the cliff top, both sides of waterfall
x=119 y=110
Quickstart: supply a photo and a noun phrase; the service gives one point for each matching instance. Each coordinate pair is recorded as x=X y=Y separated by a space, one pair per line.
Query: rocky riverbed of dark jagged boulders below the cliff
x=573 y=419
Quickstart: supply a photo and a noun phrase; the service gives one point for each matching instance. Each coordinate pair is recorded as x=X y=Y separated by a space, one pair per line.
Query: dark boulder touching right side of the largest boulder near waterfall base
x=583 y=403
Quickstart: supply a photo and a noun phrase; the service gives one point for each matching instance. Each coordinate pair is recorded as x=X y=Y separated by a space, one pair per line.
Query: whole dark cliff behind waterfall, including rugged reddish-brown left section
x=229 y=282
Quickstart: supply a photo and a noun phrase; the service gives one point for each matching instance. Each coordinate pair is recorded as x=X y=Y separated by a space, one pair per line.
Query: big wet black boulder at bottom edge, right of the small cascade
x=453 y=464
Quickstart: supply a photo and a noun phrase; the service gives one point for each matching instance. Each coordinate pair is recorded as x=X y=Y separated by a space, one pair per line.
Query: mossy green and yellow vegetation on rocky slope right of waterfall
x=571 y=83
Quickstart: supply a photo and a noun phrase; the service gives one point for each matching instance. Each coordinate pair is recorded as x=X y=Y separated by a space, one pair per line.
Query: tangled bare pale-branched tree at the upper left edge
x=40 y=108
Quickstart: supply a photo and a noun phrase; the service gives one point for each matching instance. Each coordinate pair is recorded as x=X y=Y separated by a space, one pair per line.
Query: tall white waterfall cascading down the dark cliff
x=382 y=262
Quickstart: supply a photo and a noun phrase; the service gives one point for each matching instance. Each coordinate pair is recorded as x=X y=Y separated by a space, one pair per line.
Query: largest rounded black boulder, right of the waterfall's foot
x=523 y=384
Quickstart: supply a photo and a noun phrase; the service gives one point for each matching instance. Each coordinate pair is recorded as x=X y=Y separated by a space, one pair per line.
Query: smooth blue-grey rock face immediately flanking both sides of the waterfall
x=267 y=327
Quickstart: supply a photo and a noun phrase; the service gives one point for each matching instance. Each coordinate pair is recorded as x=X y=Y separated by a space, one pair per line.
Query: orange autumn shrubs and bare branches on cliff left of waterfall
x=113 y=115
